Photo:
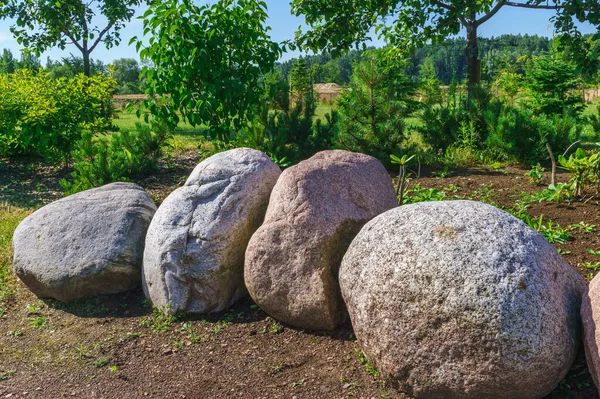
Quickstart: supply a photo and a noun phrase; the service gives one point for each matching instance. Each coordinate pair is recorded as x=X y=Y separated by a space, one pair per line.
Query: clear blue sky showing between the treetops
x=284 y=25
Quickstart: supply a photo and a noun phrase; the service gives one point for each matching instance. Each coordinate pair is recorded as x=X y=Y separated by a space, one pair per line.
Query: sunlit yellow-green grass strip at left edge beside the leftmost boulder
x=10 y=217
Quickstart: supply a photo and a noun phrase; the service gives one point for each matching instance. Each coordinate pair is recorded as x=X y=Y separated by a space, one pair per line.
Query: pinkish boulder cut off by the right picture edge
x=590 y=317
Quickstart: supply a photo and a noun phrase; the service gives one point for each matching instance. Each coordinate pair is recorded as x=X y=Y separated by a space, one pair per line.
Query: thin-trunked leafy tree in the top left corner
x=42 y=24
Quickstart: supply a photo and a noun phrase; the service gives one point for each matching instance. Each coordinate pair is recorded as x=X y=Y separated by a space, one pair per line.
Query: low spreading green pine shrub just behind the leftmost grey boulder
x=116 y=157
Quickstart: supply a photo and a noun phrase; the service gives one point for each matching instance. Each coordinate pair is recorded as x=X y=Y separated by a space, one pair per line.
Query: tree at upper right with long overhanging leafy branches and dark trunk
x=336 y=25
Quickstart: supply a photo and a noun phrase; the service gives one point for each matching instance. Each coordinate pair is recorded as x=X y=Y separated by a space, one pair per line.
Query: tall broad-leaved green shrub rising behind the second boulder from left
x=207 y=61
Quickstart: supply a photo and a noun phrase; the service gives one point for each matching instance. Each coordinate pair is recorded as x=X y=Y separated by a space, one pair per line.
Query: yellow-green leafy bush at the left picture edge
x=42 y=116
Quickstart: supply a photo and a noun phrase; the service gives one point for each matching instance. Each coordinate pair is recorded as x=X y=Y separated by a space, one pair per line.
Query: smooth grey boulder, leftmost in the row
x=89 y=243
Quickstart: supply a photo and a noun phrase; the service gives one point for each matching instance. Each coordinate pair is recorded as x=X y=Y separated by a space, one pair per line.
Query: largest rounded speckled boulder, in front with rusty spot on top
x=459 y=299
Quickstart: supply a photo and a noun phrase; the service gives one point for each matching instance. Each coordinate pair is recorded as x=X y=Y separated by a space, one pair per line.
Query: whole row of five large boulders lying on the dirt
x=453 y=299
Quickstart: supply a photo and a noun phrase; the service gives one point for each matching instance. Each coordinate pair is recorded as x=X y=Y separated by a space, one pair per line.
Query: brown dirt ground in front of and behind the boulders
x=103 y=347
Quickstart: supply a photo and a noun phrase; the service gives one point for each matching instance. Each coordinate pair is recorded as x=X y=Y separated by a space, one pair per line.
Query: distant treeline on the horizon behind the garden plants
x=445 y=61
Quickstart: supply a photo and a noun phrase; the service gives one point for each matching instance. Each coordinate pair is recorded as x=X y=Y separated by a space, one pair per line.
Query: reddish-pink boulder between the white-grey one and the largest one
x=316 y=209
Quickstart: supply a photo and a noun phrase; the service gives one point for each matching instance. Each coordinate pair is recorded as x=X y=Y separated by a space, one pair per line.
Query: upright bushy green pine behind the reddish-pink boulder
x=372 y=113
